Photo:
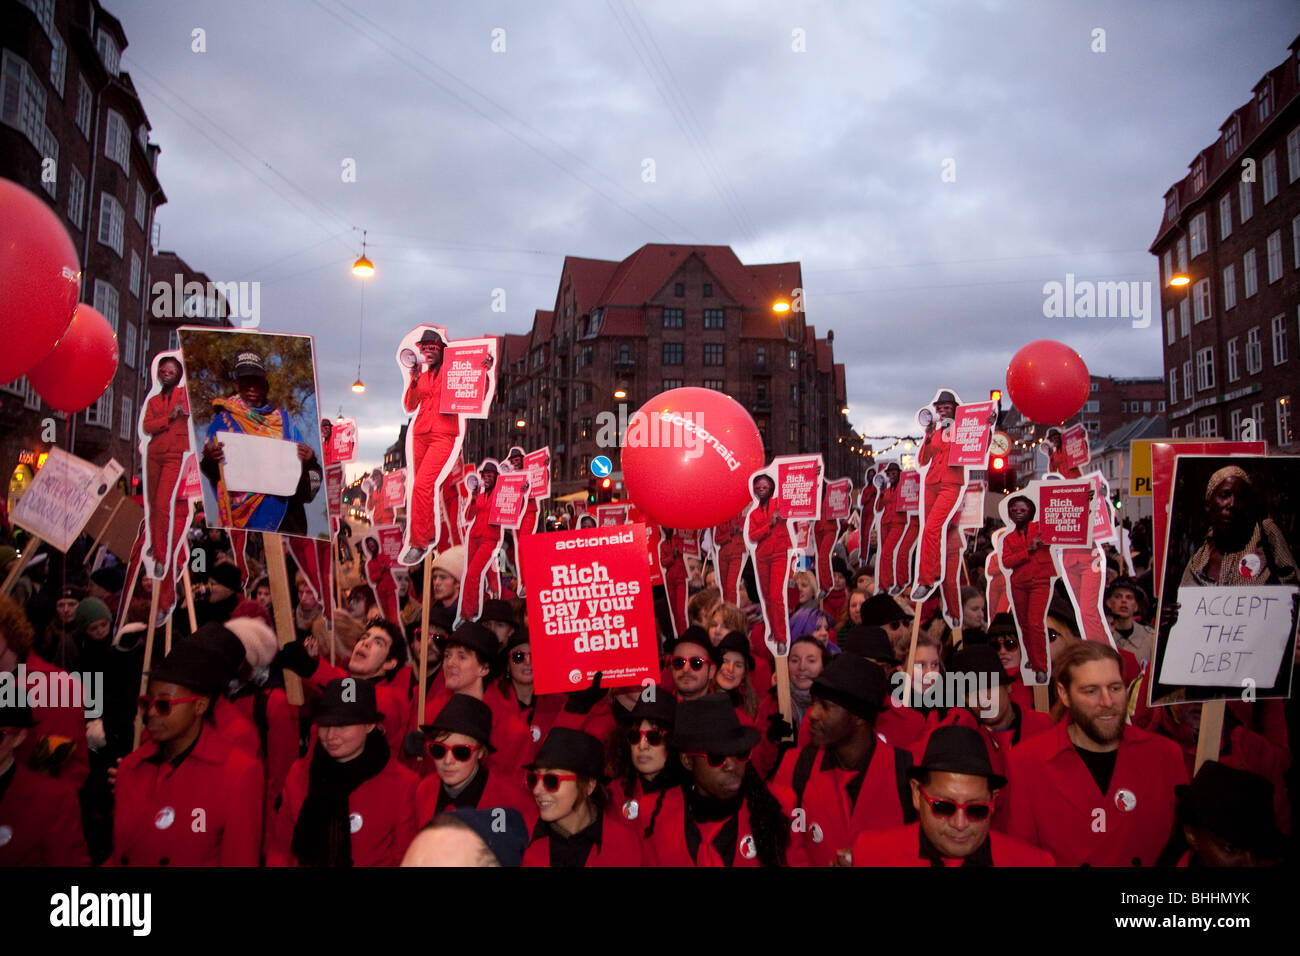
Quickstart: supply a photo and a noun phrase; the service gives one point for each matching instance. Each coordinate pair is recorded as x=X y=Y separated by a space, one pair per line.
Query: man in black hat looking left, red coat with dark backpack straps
x=847 y=780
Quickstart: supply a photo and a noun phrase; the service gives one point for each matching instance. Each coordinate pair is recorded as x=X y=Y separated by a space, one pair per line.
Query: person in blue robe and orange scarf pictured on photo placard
x=249 y=412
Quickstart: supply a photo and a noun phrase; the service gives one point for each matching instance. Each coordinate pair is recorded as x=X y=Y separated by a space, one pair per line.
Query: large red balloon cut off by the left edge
x=40 y=280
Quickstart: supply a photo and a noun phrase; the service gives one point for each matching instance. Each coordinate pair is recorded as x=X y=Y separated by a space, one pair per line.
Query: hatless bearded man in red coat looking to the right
x=1059 y=781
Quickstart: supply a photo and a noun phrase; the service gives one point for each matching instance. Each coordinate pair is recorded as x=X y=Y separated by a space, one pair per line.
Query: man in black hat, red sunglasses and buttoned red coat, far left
x=187 y=797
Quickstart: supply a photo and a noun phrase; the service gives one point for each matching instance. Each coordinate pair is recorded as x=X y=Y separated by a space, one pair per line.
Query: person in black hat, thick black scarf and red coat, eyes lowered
x=348 y=803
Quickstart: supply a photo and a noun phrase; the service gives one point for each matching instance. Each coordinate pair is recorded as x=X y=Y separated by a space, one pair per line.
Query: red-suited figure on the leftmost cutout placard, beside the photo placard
x=167 y=423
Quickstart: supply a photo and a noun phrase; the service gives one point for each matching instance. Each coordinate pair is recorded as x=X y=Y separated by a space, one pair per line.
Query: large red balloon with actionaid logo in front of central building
x=687 y=458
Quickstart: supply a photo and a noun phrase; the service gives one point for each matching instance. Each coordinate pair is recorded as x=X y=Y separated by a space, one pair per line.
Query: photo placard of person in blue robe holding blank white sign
x=255 y=414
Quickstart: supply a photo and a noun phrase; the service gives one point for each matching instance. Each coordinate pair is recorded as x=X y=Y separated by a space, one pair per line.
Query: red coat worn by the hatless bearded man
x=1055 y=802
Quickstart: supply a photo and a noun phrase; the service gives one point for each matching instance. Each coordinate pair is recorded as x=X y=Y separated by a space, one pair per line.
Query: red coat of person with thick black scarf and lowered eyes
x=382 y=814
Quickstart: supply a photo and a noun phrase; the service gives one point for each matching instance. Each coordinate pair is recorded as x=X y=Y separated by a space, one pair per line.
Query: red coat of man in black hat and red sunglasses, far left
x=206 y=812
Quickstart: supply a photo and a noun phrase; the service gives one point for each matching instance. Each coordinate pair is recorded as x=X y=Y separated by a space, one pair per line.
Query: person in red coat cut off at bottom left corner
x=40 y=817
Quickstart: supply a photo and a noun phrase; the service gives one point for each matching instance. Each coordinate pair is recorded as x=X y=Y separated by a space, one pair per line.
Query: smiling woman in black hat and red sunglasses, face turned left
x=574 y=829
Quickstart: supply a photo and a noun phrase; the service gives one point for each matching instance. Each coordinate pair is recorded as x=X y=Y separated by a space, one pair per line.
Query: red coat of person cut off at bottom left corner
x=41 y=823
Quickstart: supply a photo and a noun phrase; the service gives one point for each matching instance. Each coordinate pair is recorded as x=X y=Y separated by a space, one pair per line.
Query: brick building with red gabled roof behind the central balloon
x=664 y=318
